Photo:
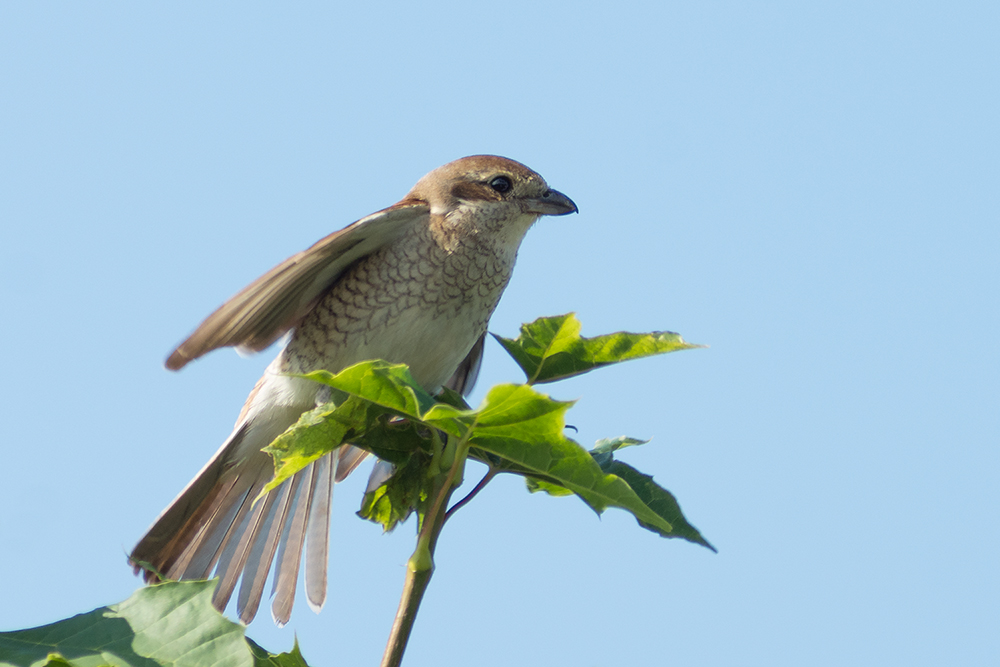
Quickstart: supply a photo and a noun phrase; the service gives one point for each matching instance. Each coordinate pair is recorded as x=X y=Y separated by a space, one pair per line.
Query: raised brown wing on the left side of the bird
x=274 y=303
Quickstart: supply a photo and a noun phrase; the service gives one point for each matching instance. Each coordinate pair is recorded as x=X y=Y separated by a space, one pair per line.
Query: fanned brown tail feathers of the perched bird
x=215 y=524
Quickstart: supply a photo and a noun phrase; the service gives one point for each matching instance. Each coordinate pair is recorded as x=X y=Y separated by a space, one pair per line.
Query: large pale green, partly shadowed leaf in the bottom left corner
x=166 y=624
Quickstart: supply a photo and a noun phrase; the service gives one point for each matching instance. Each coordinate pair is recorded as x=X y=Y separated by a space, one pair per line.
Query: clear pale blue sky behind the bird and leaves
x=811 y=190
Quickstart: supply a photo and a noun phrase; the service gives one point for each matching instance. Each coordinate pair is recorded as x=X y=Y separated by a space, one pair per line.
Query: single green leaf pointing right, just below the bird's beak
x=551 y=348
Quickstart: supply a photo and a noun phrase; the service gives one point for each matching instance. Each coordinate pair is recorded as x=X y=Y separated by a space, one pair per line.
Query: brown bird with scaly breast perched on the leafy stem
x=414 y=283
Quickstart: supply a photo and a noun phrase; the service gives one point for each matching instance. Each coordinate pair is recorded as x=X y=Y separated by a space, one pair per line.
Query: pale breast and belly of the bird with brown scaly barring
x=417 y=301
